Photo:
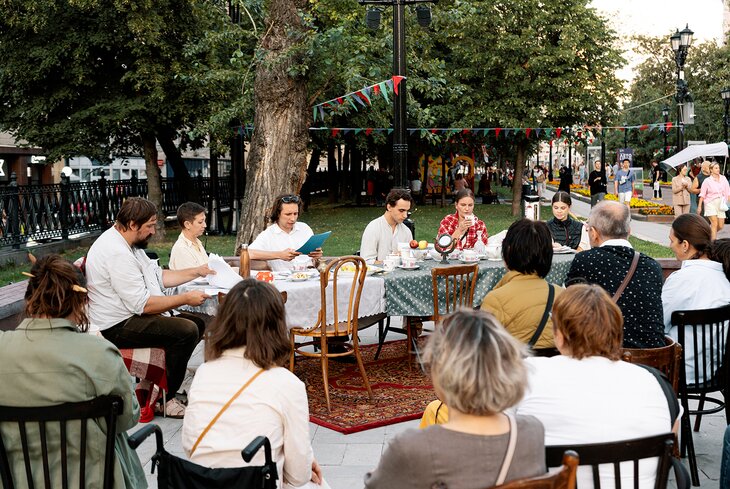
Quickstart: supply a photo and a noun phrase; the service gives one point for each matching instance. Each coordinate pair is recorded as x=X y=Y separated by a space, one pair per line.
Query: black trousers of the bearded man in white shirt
x=177 y=335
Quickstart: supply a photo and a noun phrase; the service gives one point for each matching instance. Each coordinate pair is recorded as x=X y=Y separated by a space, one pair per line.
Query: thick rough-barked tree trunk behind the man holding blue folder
x=277 y=160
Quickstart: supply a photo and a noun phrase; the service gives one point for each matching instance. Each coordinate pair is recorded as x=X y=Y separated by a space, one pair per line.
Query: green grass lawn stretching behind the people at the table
x=346 y=224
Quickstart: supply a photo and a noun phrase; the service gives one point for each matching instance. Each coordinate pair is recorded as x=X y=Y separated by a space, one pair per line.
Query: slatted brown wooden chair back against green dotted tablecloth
x=456 y=285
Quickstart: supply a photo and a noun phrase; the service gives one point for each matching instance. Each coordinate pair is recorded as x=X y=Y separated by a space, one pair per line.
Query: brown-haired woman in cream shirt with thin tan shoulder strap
x=246 y=345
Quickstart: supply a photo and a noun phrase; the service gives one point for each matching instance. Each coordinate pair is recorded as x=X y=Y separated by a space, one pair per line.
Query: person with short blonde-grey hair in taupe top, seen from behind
x=477 y=369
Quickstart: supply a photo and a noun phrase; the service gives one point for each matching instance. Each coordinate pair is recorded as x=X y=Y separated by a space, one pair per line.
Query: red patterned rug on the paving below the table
x=401 y=391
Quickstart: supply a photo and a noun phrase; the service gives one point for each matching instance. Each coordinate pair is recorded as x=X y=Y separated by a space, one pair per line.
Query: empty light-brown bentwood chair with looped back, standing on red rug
x=333 y=282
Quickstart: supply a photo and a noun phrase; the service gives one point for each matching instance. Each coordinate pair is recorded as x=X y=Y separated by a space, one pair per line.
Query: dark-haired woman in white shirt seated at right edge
x=699 y=284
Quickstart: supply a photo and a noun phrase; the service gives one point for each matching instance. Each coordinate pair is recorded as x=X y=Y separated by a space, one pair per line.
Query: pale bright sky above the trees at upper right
x=661 y=18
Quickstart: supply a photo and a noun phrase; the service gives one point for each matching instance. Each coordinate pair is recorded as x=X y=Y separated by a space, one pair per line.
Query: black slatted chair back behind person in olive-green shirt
x=41 y=429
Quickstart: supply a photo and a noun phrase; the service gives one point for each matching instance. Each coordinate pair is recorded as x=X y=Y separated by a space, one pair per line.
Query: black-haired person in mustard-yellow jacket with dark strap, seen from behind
x=520 y=300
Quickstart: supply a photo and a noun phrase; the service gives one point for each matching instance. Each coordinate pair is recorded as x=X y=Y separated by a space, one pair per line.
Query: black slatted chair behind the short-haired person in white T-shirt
x=623 y=457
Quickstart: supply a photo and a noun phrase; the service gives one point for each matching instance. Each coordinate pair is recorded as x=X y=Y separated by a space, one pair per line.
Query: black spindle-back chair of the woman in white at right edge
x=703 y=335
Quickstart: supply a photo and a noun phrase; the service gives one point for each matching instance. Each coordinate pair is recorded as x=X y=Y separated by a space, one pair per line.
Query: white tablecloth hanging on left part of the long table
x=304 y=299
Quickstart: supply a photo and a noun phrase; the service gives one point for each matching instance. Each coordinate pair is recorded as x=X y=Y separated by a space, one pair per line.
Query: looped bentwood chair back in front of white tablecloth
x=355 y=274
